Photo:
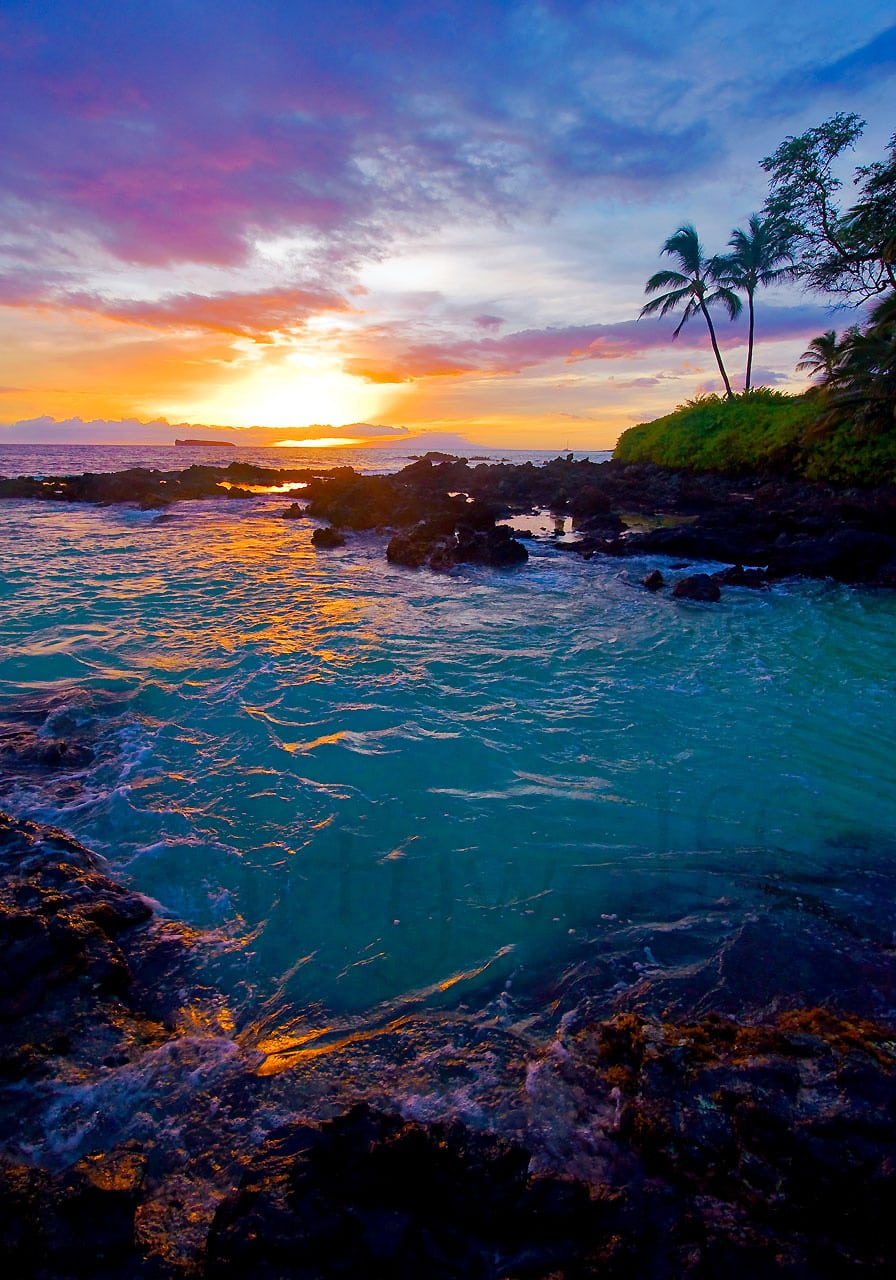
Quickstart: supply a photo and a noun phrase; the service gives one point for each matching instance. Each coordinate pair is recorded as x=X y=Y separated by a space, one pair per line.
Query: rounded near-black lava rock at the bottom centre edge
x=372 y=1195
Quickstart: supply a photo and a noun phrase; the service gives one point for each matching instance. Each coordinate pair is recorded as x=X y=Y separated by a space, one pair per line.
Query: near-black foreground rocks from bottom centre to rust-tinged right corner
x=729 y=1150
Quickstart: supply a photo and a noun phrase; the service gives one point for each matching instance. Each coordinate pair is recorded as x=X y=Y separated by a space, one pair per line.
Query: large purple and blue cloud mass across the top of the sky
x=173 y=134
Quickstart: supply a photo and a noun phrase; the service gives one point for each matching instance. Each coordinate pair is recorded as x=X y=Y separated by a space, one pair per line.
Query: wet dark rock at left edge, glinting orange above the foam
x=88 y=975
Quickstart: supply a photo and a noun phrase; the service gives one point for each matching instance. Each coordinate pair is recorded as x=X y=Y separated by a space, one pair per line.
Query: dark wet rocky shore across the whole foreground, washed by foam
x=735 y=1117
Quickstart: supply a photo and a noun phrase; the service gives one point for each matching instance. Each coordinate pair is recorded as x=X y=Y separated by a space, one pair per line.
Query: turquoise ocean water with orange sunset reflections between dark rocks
x=423 y=822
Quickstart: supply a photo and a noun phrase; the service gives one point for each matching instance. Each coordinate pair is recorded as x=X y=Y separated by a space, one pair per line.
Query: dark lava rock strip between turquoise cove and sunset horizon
x=442 y=513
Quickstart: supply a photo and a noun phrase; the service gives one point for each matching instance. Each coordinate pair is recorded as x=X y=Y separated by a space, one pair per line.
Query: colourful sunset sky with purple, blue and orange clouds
x=429 y=218
